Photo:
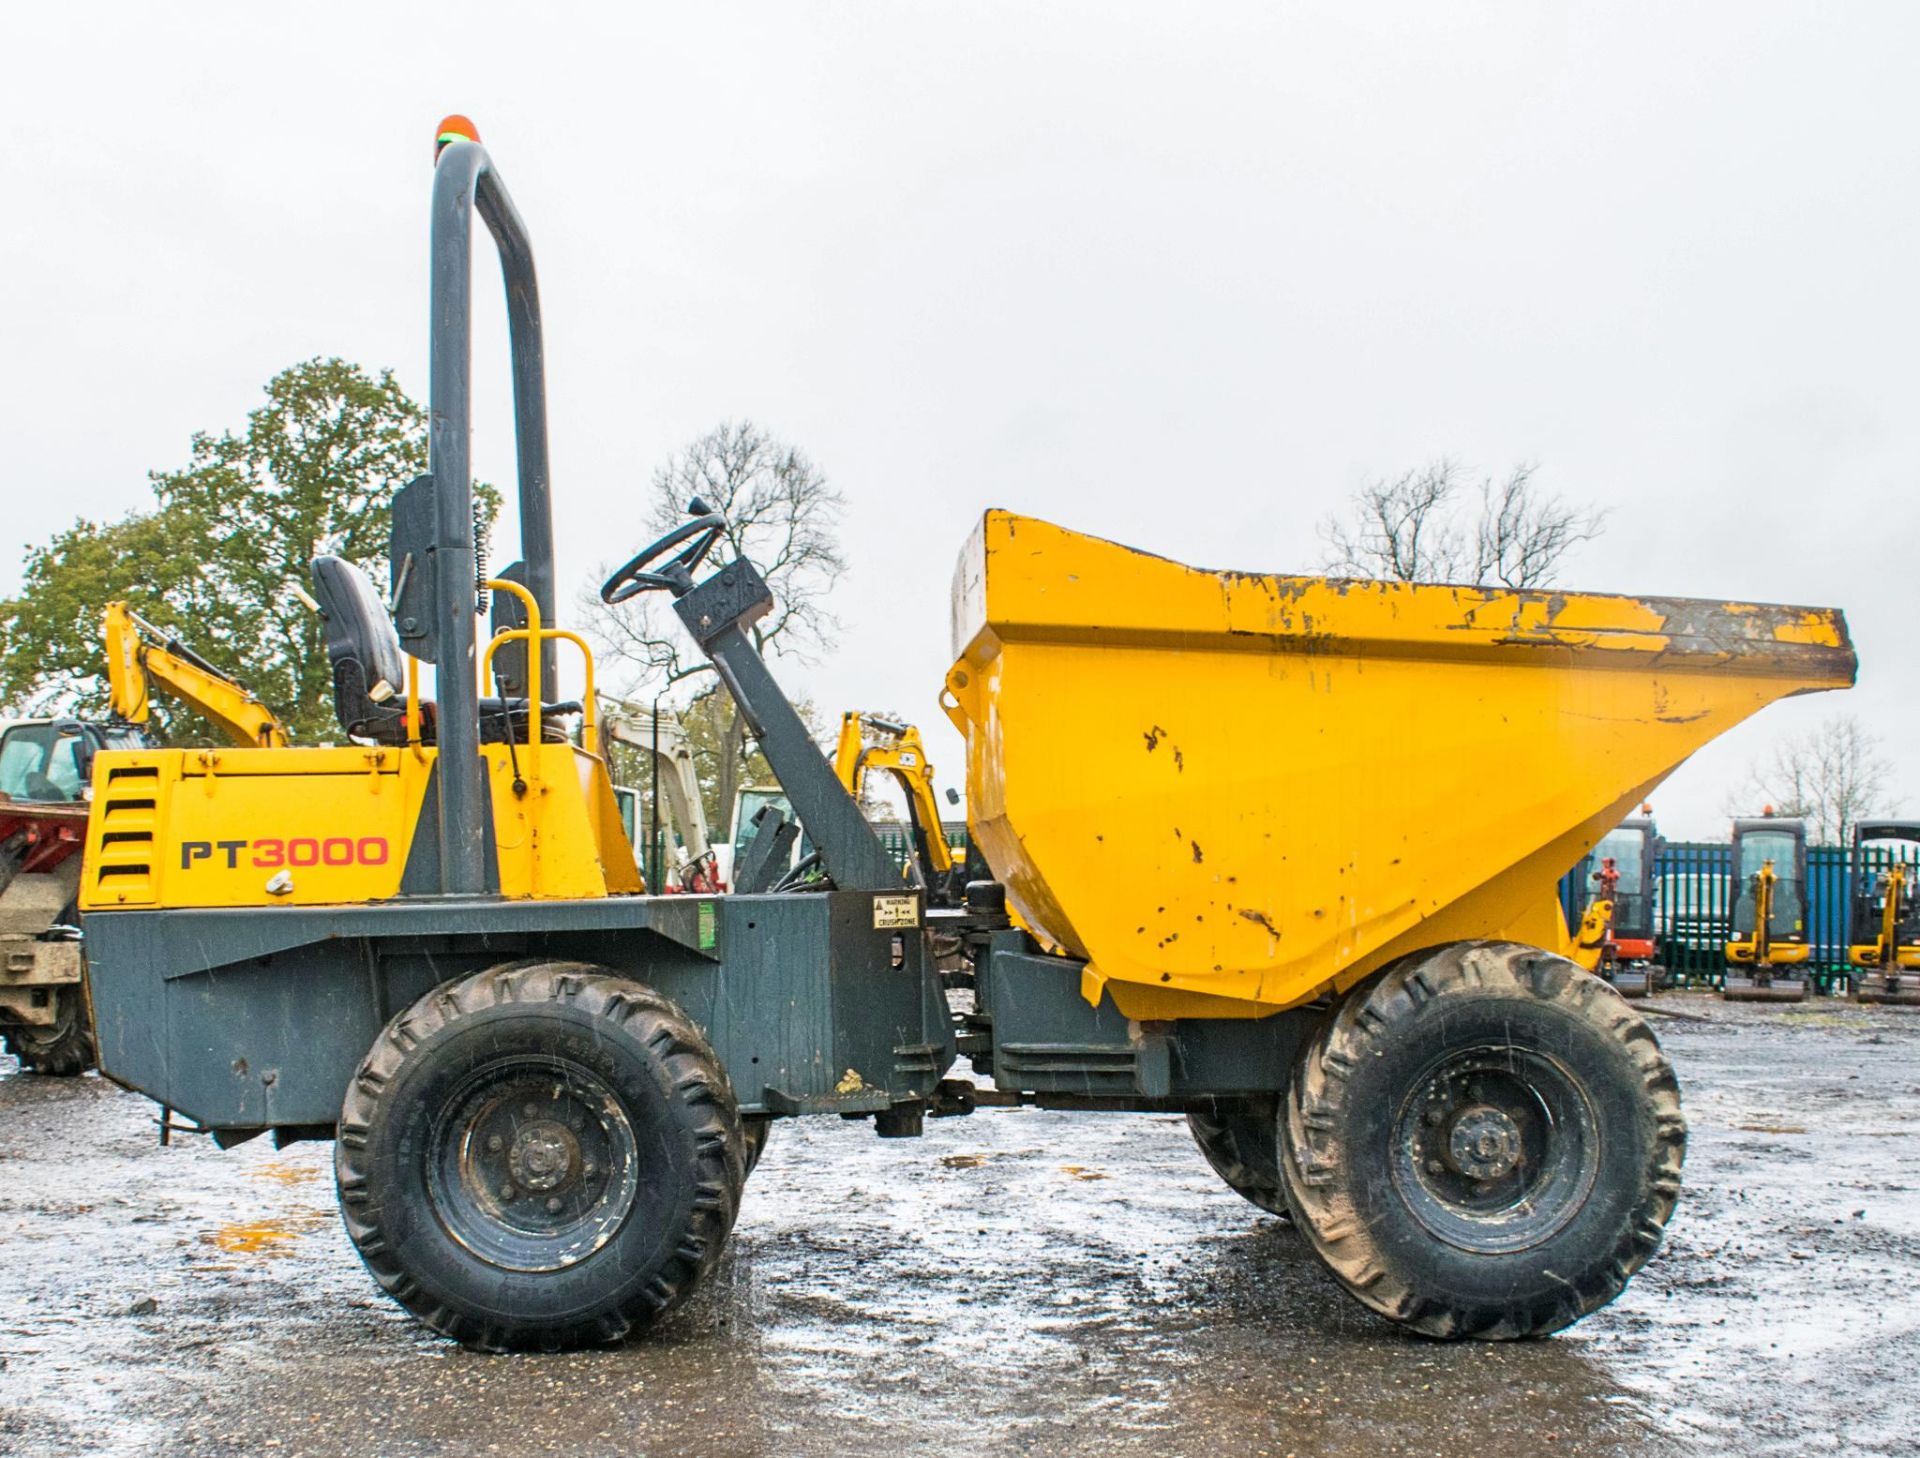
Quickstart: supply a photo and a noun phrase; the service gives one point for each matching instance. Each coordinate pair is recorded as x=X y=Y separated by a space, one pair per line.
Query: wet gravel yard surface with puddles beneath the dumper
x=1013 y=1284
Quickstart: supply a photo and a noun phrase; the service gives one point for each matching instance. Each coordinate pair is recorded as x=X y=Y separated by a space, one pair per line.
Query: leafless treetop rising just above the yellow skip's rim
x=1410 y=529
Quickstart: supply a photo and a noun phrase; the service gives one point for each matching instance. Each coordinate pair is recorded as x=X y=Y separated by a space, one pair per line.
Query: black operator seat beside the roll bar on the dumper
x=372 y=671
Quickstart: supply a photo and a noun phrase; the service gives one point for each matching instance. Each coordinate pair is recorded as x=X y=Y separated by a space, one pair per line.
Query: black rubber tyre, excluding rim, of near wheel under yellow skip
x=1345 y=1198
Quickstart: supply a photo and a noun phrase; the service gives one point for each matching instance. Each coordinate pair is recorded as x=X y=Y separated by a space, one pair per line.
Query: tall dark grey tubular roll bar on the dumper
x=466 y=183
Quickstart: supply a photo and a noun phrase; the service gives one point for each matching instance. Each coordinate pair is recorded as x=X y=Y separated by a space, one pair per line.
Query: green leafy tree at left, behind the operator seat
x=228 y=539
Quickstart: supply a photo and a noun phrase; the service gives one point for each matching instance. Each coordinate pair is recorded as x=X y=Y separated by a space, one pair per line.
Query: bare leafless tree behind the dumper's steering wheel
x=780 y=514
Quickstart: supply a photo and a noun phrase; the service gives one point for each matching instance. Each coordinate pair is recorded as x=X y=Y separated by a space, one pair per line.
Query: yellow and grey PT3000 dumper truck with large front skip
x=1272 y=852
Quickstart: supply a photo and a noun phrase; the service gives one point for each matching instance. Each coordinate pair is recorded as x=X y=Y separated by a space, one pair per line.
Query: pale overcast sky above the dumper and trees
x=1178 y=276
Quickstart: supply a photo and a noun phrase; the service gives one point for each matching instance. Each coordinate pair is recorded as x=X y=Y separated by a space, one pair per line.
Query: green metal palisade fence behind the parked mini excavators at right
x=1694 y=898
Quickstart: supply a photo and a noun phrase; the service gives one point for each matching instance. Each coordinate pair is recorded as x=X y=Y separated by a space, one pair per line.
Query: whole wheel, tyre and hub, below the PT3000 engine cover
x=540 y=1157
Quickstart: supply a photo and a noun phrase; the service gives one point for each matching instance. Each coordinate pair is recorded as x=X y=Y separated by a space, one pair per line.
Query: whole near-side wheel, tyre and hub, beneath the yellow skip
x=1483 y=1142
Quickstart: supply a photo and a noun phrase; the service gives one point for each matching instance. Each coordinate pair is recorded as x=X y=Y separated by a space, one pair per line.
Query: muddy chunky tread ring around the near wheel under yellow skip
x=1368 y=1019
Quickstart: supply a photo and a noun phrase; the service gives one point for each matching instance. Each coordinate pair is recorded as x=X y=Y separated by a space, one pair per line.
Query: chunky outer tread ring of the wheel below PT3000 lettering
x=696 y=1081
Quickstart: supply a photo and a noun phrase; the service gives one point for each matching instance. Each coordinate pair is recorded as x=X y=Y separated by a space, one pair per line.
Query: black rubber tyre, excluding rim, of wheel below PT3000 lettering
x=621 y=1288
